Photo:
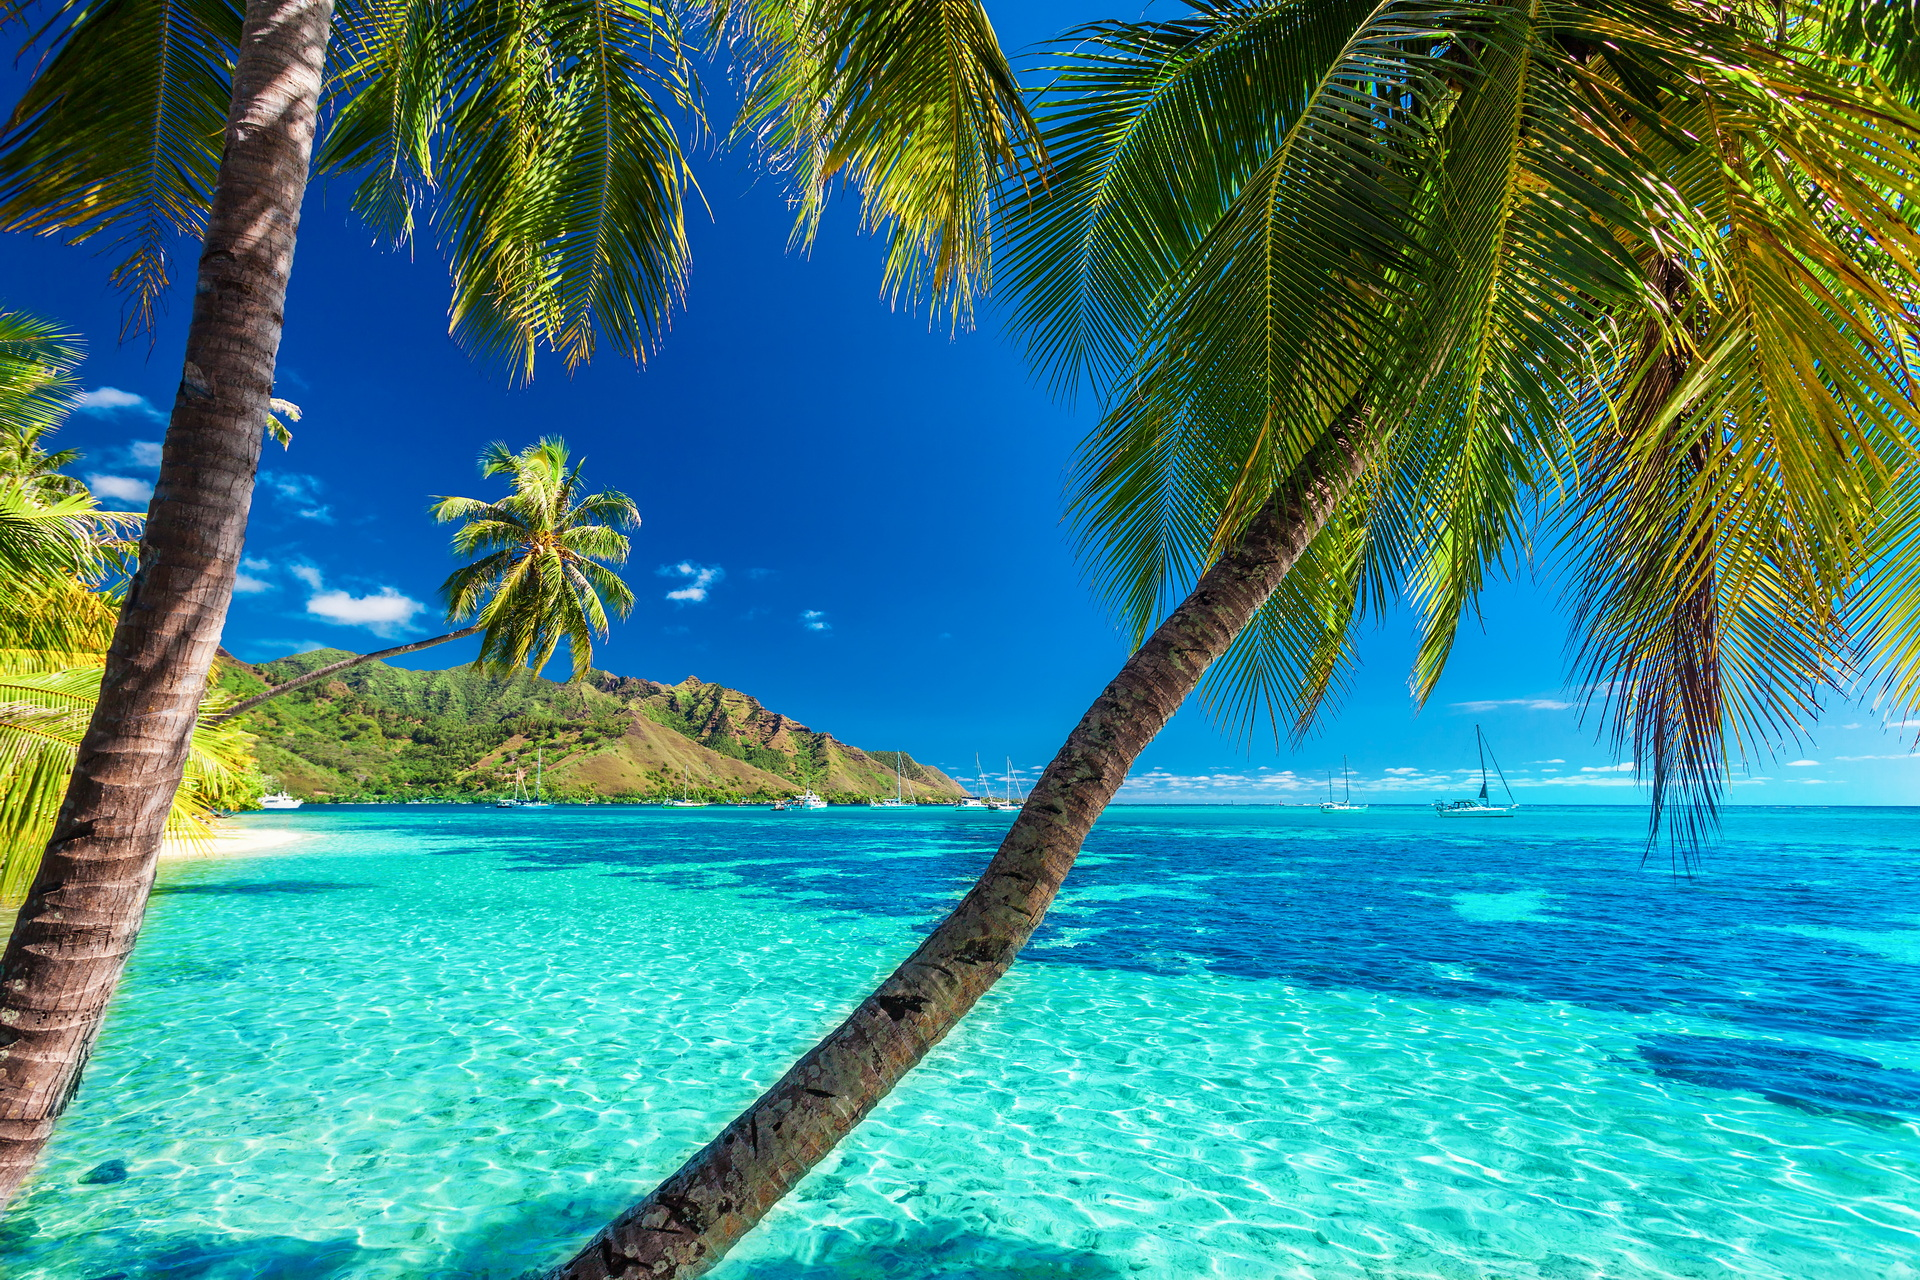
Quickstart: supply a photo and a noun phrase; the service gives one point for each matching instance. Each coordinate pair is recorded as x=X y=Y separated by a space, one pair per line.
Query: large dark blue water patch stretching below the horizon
x=1282 y=897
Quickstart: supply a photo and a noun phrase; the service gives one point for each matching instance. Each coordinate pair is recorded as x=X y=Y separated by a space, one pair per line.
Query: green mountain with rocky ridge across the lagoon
x=381 y=732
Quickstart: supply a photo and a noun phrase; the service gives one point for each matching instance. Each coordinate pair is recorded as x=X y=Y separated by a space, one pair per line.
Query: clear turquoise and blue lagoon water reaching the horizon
x=439 y=1043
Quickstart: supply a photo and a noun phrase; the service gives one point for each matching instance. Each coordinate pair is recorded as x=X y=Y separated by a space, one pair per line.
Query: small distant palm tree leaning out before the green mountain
x=542 y=579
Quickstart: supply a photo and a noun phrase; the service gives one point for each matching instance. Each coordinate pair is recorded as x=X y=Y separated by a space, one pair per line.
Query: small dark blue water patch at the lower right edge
x=1794 y=1076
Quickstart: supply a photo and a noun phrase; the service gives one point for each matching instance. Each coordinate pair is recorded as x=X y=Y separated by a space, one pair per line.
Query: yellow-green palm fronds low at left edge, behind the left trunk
x=47 y=699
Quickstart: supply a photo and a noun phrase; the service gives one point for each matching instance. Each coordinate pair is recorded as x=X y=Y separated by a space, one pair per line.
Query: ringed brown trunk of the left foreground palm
x=84 y=913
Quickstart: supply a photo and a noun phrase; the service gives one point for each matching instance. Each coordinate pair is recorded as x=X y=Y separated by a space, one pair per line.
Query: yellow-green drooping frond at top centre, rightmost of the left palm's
x=913 y=105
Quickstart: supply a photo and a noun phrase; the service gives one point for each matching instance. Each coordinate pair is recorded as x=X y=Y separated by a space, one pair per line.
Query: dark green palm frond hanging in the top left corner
x=120 y=133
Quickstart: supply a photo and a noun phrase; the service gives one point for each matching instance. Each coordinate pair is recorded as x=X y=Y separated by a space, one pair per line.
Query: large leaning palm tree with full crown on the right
x=1360 y=285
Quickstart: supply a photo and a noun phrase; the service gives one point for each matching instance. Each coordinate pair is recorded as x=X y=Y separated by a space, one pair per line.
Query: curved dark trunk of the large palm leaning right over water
x=692 y=1220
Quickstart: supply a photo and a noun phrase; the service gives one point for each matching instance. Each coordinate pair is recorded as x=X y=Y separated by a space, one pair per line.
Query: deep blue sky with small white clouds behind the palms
x=848 y=515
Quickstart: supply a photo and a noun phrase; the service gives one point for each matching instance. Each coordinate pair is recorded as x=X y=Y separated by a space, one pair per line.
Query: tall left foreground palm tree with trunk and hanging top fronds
x=539 y=139
